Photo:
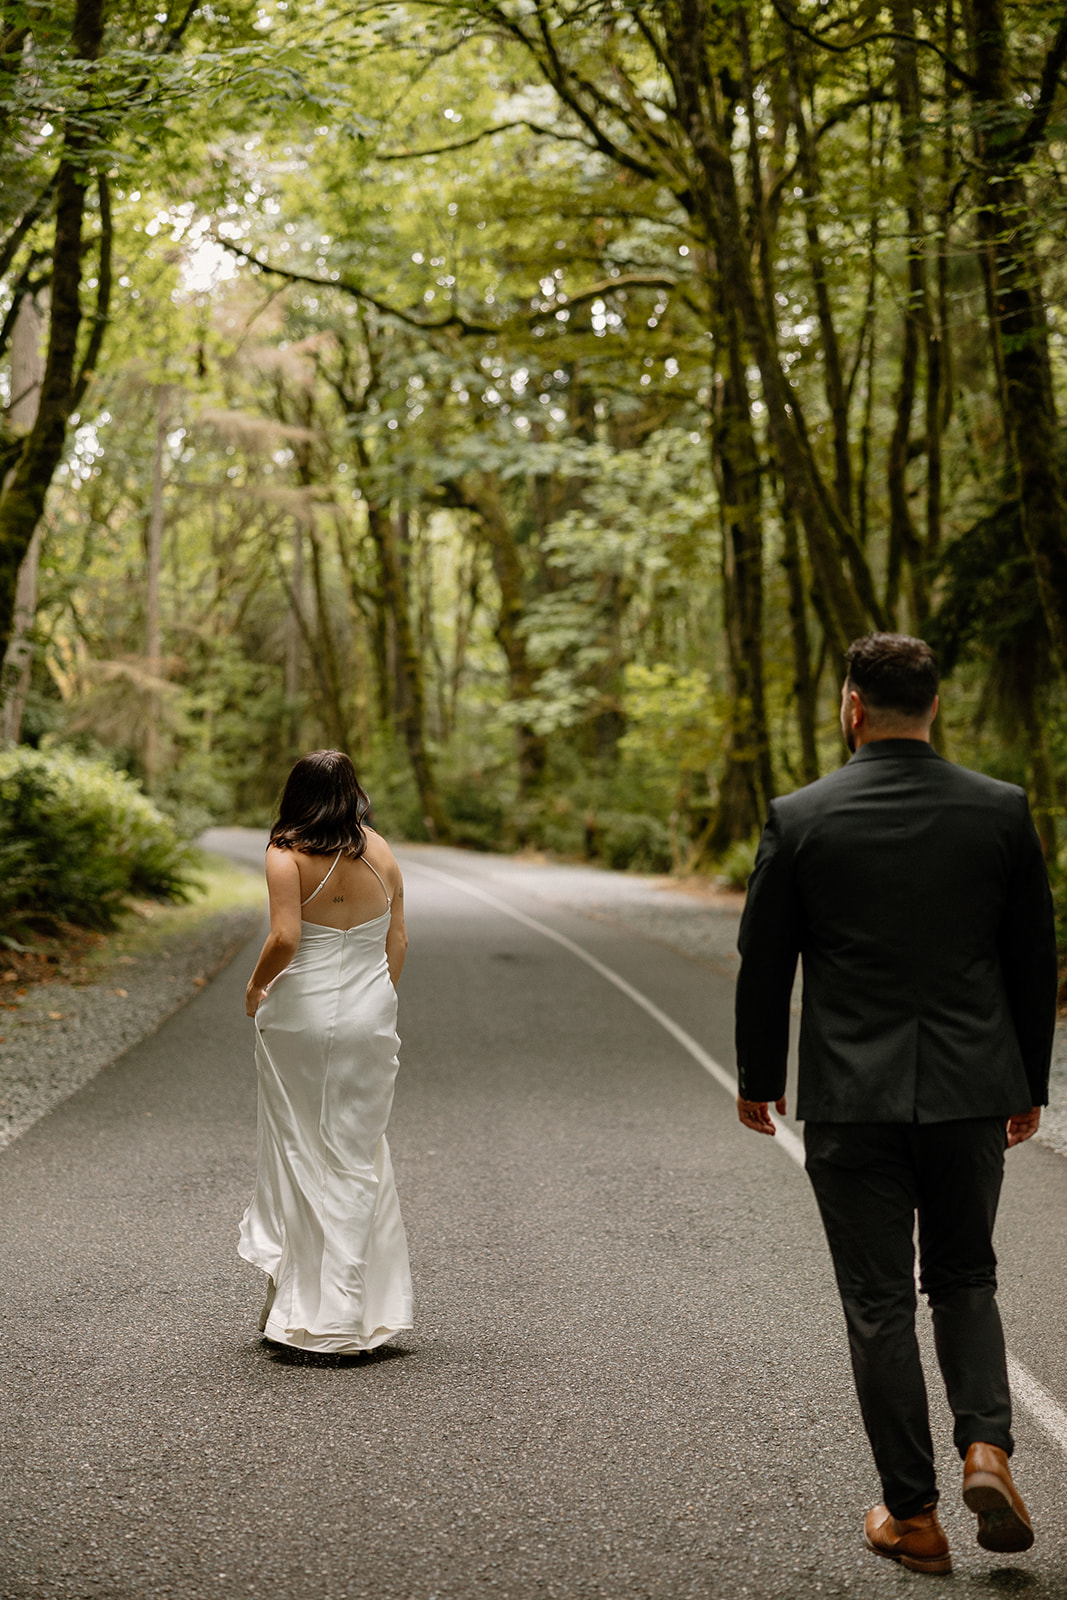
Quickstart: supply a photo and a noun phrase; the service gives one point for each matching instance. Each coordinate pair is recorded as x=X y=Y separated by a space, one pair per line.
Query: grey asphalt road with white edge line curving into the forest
x=628 y=1375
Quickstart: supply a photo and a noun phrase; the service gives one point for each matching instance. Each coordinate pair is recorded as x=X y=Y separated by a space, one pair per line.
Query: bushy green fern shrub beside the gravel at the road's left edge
x=76 y=839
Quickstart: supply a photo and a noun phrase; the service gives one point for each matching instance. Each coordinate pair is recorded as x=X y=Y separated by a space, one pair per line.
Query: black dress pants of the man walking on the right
x=871 y=1182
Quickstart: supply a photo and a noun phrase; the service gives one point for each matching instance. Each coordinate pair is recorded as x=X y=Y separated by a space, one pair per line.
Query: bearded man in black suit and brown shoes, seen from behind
x=917 y=895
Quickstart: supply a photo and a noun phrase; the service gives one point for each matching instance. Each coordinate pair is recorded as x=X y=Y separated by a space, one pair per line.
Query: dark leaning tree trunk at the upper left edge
x=23 y=502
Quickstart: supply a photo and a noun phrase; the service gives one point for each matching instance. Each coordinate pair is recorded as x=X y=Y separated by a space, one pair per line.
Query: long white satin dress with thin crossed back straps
x=326 y=1220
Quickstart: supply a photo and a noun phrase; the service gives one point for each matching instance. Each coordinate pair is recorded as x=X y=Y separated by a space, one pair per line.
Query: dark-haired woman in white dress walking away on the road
x=326 y=1222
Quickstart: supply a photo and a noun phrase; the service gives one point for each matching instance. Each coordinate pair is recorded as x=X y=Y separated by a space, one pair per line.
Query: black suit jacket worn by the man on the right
x=919 y=900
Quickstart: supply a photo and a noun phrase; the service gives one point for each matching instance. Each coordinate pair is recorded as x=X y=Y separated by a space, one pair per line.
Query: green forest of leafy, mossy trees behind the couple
x=532 y=398
